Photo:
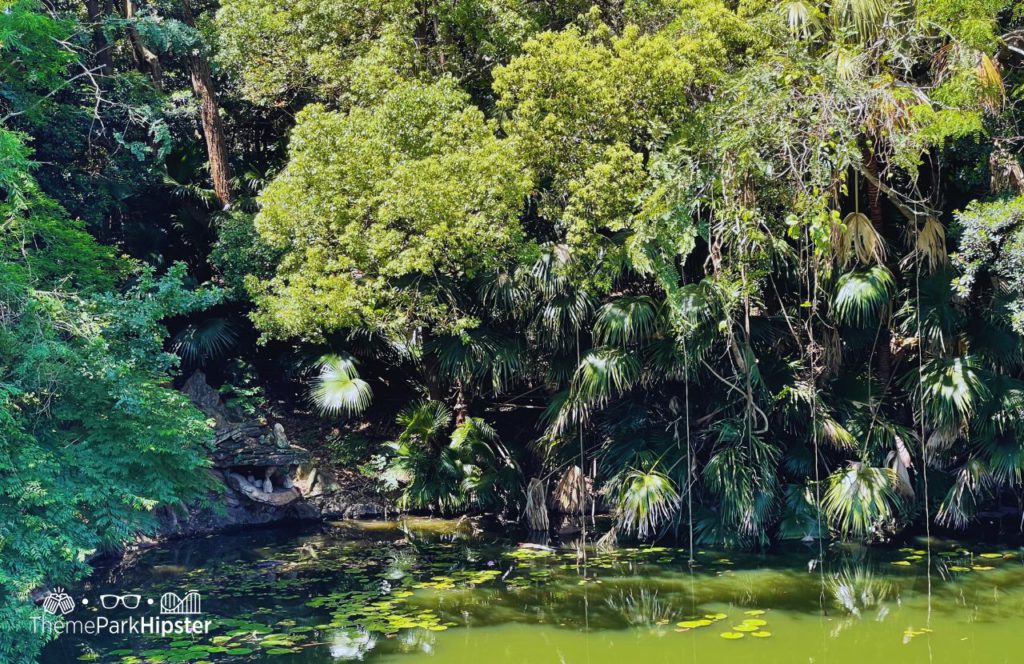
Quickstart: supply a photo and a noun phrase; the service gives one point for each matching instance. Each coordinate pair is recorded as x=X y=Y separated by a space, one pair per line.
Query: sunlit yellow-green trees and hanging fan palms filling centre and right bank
x=710 y=241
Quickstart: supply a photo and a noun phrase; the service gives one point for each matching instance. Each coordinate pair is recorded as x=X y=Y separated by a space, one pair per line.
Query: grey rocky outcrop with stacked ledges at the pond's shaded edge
x=262 y=478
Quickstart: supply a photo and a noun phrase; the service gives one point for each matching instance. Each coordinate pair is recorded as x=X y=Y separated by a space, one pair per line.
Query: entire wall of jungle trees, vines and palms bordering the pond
x=739 y=272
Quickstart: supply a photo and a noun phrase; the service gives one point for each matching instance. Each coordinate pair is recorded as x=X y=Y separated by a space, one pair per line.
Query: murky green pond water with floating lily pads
x=424 y=591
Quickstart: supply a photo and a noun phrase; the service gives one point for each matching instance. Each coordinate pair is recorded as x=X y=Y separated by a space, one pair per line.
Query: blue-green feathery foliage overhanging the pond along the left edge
x=93 y=438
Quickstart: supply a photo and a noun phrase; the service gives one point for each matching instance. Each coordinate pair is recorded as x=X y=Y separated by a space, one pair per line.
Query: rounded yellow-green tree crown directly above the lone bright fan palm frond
x=381 y=211
